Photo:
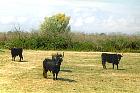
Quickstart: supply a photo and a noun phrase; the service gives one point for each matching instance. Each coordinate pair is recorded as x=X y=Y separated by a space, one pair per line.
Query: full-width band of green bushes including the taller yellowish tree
x=55 y=34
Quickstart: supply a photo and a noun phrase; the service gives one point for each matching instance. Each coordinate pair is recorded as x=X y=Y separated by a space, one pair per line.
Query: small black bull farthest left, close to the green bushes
x=16 y=52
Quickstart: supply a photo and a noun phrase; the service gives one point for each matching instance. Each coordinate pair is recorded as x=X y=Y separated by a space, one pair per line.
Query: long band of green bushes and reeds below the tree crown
x=66 y=41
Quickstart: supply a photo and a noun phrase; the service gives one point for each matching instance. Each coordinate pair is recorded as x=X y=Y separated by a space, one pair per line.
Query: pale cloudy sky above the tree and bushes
x=88 y=16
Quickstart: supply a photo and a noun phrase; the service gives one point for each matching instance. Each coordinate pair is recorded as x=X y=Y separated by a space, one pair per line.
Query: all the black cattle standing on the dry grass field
x=53 y=64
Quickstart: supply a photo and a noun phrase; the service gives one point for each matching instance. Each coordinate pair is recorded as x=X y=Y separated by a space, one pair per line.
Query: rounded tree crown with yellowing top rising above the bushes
x=58 y=23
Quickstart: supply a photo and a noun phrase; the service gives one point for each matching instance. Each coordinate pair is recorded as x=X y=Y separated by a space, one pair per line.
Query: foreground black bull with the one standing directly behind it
x=53 y=65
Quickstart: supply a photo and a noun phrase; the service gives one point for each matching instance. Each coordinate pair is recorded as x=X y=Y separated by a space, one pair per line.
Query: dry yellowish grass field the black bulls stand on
x=81 y=72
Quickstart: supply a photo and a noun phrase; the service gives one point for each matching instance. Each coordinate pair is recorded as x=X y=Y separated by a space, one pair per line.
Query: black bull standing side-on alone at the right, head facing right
x=110 y=58
